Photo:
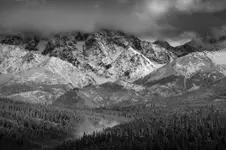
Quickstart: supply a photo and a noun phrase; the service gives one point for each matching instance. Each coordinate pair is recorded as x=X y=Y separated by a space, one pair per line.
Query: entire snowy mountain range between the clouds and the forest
x=106 y=68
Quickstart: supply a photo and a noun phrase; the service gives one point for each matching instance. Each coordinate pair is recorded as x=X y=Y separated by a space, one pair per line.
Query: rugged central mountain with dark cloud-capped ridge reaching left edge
x=101 y=54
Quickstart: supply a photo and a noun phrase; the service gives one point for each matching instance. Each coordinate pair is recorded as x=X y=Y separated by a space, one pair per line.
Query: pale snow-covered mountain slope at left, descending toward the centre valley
x=27 y=75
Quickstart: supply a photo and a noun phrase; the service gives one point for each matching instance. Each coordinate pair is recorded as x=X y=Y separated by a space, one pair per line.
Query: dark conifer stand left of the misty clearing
x=24 y=126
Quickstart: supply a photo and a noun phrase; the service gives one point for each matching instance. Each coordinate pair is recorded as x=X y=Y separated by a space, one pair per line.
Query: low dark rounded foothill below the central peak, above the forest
x=105 y=95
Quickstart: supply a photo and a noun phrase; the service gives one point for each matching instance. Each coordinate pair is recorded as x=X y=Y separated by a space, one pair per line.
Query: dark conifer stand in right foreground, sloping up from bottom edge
x=198 y=128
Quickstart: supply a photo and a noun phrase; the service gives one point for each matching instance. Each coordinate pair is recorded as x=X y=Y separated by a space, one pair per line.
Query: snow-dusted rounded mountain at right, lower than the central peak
x=191 y=72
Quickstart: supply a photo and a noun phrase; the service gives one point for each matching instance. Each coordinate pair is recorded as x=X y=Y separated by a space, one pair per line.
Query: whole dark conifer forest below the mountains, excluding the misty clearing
x=30 y=126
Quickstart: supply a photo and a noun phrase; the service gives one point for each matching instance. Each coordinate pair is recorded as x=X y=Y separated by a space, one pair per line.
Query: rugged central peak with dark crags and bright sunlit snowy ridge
x=113 y=55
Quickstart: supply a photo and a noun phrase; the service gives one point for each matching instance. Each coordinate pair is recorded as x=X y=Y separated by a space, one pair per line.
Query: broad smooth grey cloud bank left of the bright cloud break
x=71 y=15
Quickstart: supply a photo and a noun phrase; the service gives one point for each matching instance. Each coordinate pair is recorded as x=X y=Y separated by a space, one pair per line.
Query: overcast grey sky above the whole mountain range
x=174 y=20
